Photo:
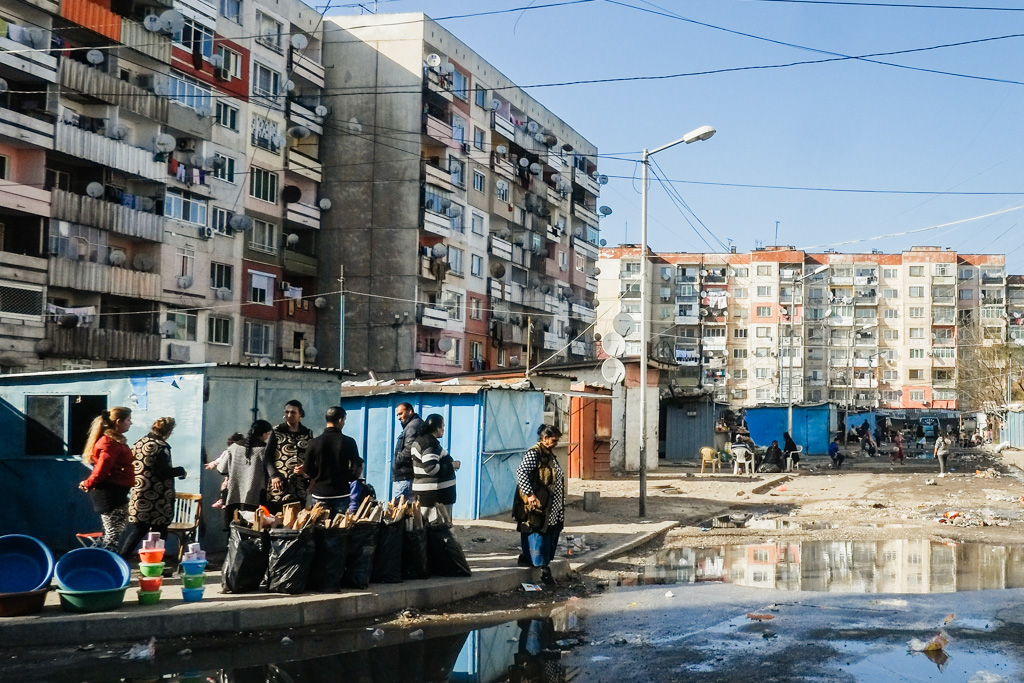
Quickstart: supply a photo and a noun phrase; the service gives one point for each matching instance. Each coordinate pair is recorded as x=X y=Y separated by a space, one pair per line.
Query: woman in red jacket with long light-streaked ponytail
x=113 y=475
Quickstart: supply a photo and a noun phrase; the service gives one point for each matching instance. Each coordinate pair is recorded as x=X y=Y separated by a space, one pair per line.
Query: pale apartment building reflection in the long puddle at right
x=846 y=567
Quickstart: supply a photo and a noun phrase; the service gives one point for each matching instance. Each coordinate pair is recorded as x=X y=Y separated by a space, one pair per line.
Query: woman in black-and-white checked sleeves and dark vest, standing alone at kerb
x=540 y=502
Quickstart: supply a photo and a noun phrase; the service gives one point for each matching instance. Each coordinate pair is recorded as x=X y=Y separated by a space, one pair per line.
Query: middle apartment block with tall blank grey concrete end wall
x=470 y=237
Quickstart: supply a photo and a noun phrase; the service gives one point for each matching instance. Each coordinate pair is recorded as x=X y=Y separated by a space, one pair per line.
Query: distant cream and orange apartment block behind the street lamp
x=861 y=330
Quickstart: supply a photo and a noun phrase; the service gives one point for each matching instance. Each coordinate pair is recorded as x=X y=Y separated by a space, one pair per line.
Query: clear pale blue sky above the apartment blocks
x=840 y=125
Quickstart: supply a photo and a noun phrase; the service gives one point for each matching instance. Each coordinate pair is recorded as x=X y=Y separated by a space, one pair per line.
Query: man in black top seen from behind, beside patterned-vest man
x=333 y=465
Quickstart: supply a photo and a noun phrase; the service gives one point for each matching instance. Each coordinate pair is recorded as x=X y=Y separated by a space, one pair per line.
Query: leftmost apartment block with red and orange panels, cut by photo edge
x=159 y=182
